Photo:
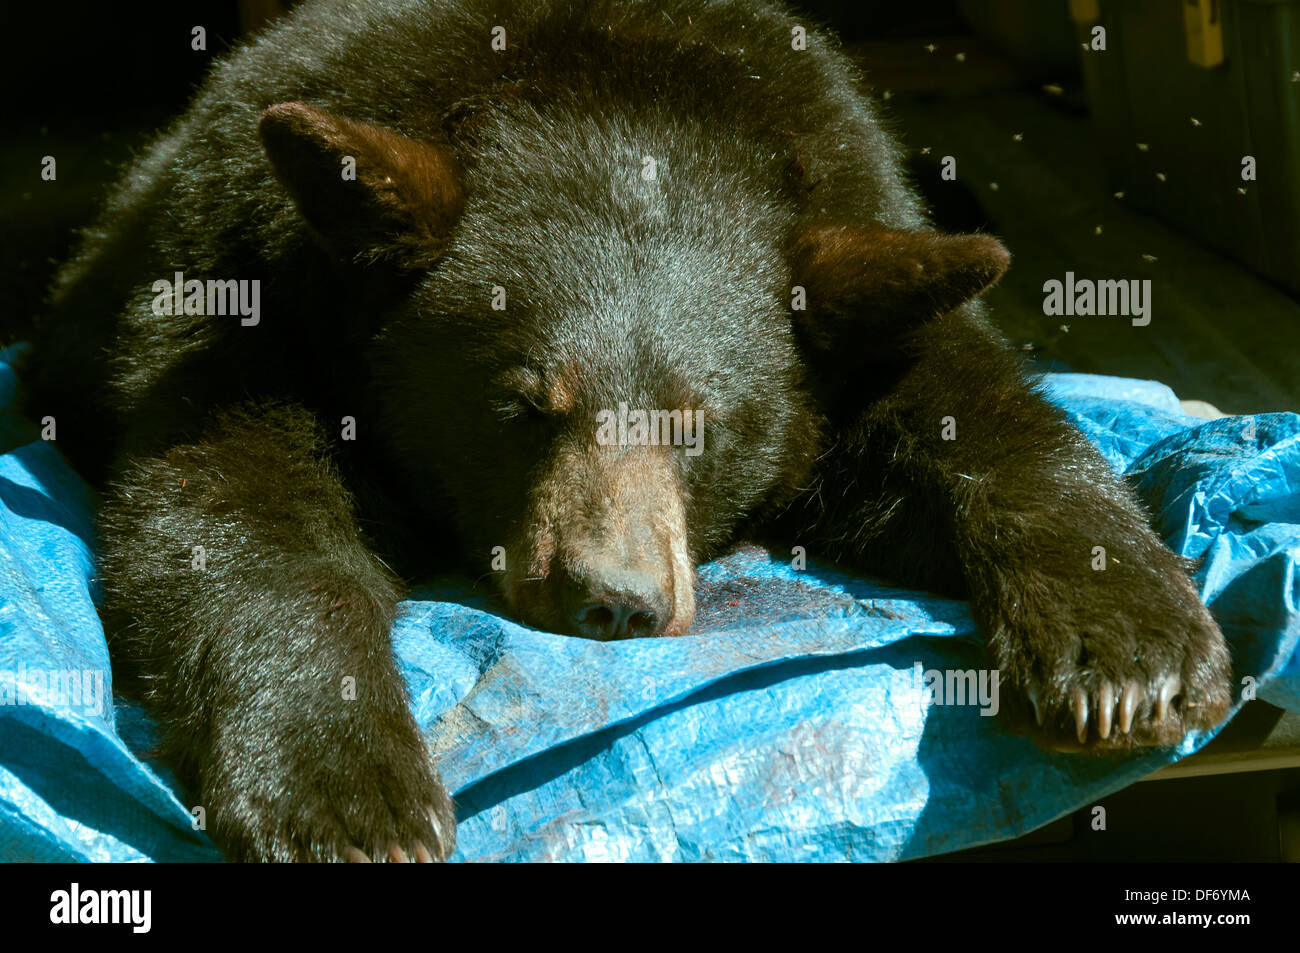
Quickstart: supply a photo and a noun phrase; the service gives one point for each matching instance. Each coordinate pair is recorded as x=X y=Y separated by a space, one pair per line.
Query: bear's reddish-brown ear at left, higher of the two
x=369 y=193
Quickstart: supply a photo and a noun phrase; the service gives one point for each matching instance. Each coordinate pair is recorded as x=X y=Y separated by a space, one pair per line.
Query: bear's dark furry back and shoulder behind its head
x=203 y=200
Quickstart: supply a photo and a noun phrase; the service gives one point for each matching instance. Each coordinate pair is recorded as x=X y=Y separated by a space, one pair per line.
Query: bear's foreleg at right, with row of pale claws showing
x=964 y=479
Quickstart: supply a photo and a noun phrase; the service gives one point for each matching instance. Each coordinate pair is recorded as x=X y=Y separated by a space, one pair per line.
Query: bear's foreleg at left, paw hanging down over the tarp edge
x=240 y=590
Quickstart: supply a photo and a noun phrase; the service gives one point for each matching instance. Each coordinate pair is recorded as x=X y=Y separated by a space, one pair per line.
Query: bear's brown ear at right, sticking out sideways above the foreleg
x=866 y=287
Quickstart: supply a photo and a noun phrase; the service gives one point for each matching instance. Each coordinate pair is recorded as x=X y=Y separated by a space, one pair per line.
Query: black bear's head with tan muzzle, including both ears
x=610 y=341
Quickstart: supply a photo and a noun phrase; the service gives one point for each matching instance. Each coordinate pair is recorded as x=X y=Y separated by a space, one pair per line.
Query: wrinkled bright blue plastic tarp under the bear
x=788 y=726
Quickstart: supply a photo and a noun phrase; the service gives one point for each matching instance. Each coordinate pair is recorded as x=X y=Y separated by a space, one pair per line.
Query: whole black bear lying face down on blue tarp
x=580 y=292
